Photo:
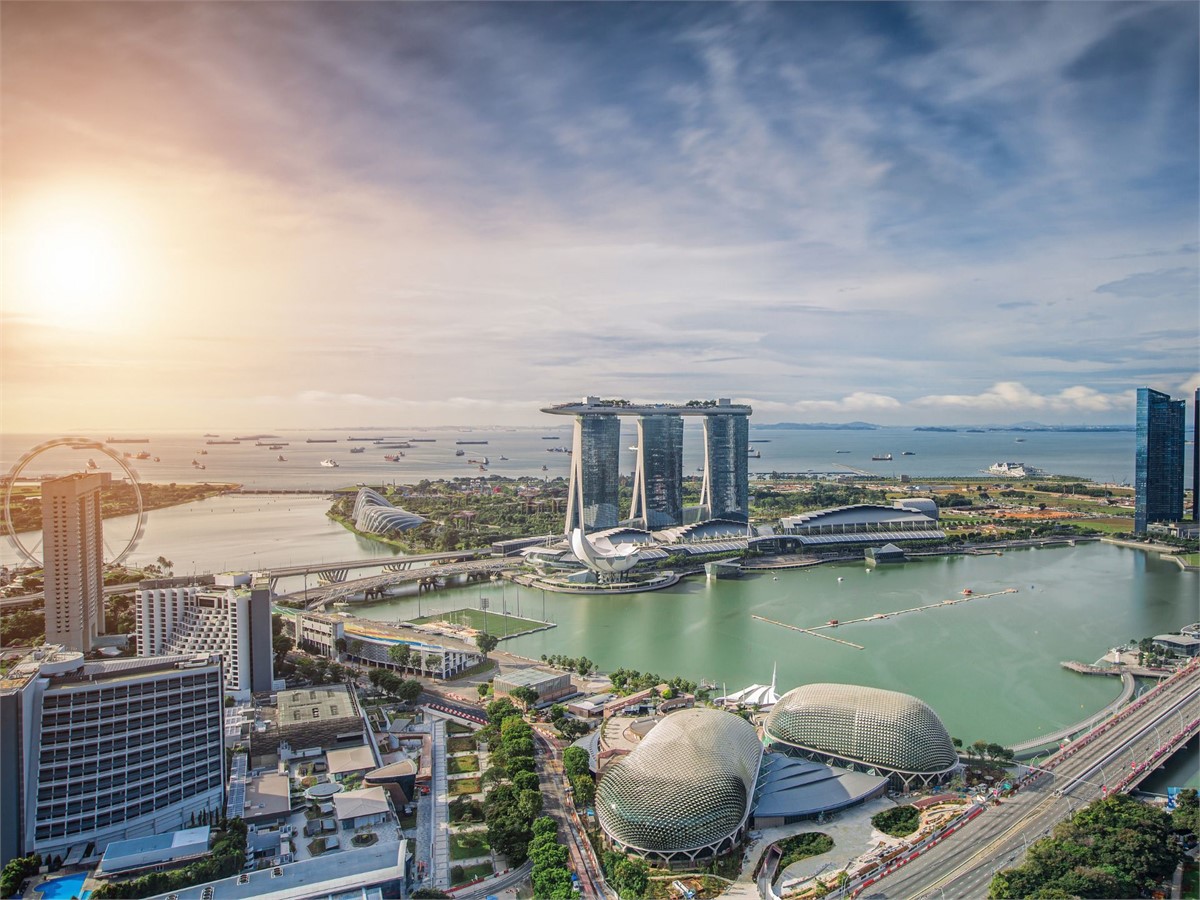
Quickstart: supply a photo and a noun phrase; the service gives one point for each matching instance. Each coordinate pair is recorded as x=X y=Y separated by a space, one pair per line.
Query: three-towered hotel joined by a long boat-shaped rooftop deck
x=593 y=501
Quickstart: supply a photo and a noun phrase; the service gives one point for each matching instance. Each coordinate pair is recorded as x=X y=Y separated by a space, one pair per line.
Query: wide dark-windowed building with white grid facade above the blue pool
x=92 y=753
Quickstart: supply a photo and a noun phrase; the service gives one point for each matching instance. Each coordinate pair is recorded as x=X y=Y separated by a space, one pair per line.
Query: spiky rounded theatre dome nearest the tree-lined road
x=683 y=794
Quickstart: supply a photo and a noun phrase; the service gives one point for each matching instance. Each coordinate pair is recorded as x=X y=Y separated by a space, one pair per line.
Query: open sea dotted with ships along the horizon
x=1105 y=458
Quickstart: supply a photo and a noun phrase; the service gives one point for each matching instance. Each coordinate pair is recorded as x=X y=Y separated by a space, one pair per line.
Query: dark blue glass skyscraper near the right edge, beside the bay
x=1159 y=472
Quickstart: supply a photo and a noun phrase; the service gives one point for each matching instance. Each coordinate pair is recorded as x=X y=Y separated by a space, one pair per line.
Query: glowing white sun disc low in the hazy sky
x=73 y=266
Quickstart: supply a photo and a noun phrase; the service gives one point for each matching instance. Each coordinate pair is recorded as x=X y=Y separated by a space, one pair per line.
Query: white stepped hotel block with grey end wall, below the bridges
x=229 y=616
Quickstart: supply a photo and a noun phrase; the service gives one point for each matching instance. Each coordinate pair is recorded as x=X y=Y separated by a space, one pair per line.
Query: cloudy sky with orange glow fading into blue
x=313 y=215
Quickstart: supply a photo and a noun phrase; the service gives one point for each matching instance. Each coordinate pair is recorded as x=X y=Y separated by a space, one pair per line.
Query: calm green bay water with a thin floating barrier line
x=989 y=668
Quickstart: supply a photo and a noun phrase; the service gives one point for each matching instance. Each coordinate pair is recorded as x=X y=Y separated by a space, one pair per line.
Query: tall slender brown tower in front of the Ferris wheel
x=74 y=560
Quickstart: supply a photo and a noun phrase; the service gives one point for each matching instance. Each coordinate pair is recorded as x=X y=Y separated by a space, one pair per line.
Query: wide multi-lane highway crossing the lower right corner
x=964 y=865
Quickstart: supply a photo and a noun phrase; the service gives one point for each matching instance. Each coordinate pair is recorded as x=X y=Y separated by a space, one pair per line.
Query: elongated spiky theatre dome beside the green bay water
x=865 y=729
